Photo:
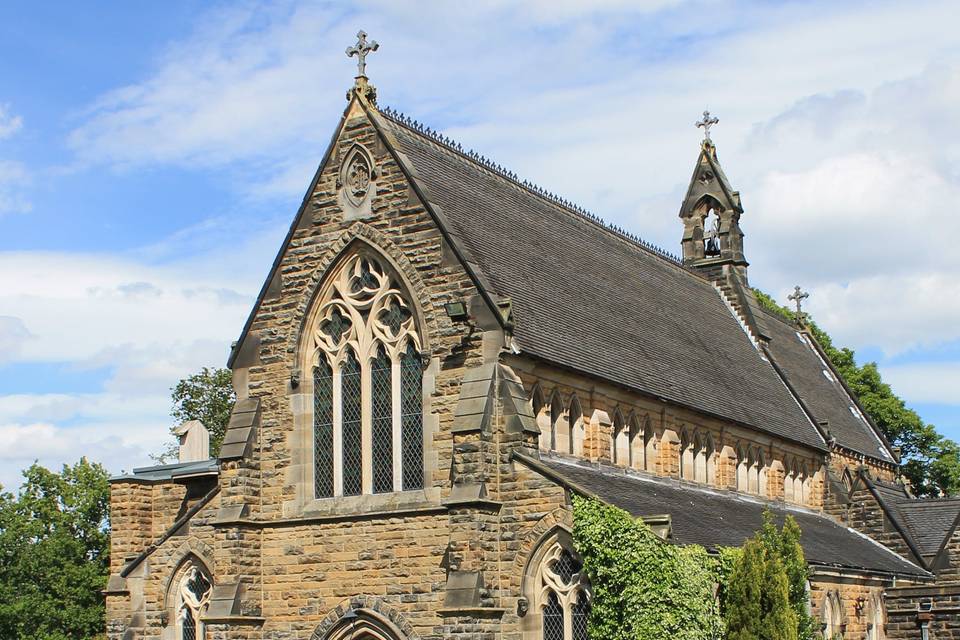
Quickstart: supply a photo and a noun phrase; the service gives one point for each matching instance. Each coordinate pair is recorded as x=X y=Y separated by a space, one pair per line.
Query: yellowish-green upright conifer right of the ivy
x=766 y=596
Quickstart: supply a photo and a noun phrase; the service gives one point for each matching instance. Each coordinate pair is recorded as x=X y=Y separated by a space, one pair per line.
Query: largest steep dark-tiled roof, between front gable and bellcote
x=591 y=299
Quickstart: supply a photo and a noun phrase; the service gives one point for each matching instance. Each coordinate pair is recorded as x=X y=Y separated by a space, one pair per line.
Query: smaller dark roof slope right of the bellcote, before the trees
x=820 y=389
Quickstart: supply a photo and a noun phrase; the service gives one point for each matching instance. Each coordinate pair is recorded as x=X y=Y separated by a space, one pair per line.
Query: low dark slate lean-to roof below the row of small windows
x=714 y=518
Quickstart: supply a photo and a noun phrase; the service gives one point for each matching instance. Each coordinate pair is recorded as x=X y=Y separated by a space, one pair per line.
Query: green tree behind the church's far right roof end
x=930 y=461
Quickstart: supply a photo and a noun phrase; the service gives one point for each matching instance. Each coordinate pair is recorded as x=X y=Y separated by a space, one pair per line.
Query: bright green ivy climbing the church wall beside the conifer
x=644 y=588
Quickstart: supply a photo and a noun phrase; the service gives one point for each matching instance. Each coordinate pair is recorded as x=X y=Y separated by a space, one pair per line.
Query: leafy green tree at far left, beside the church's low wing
x=54 y=550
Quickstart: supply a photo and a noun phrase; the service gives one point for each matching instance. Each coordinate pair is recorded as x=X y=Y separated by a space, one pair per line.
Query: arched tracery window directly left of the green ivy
x=563 y=594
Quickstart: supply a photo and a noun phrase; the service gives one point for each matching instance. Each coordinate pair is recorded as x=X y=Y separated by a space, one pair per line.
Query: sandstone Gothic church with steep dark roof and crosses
x=441 y=355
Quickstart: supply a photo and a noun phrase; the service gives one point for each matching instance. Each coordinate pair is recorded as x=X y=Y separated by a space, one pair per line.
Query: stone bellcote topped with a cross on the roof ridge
x=710 y=212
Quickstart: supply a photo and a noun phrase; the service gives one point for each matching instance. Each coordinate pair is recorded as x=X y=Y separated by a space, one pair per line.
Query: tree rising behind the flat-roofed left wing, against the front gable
x=206 y=396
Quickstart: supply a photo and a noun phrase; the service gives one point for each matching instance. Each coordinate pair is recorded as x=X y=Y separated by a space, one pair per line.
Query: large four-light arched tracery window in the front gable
x=367 y=385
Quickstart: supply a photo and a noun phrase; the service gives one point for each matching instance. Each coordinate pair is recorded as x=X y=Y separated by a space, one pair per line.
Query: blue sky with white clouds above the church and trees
x=152 y=155
